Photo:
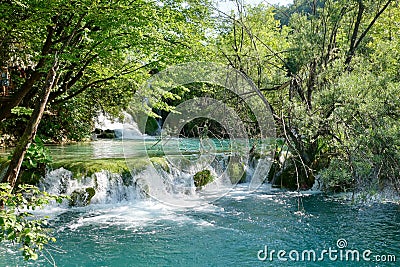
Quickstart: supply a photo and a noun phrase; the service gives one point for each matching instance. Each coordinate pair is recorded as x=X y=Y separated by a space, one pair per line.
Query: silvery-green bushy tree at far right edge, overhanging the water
x=367 y=119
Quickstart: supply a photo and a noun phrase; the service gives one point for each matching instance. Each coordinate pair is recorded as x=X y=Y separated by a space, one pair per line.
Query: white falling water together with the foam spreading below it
x=126 y=202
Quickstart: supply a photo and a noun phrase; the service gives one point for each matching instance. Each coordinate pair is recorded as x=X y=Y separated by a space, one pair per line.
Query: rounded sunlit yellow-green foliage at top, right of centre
x=249 y=41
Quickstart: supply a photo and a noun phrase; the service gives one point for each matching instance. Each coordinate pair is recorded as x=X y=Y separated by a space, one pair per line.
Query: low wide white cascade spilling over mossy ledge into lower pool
x=153 y=180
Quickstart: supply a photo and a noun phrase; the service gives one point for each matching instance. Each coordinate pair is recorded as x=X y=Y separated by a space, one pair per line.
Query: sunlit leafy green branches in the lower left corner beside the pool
x=18 y=225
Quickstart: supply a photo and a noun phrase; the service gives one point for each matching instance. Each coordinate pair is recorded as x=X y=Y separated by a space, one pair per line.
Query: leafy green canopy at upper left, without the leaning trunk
x=105 y=52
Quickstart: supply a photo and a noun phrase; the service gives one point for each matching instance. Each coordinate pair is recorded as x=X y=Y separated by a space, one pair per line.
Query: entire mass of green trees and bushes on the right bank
x=331 y=77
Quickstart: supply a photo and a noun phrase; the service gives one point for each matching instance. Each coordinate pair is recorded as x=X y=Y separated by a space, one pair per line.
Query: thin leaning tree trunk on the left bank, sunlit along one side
x=31 y=128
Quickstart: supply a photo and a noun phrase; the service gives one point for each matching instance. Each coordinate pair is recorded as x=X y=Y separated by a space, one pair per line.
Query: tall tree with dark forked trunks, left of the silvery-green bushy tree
x=325 y=45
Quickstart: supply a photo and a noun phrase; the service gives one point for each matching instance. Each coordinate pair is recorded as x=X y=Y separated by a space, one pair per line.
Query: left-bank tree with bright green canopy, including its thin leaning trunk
x=91 y=49
